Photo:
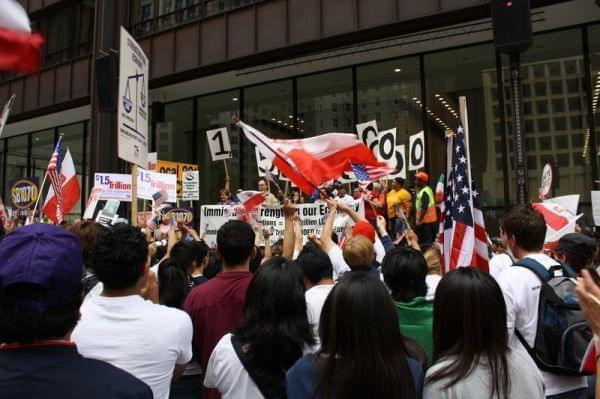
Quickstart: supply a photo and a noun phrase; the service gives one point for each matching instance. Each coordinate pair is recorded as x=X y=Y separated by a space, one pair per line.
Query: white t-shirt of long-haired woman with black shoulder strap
x=226 y=373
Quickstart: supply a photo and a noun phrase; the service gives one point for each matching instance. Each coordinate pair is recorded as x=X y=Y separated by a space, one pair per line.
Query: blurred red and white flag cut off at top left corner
x=20 y=49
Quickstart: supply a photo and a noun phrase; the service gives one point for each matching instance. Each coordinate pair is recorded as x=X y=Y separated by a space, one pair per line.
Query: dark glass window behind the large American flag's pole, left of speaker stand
x=469 y=72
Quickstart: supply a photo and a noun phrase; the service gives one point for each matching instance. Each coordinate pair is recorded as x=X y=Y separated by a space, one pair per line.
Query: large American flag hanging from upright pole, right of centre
x=464 y=238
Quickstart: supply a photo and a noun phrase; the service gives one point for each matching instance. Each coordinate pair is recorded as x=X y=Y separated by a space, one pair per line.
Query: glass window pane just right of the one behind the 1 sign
x=268 y=108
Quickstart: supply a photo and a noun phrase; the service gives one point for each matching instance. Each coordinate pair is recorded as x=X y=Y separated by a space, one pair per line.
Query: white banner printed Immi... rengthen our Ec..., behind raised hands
x=312 y=219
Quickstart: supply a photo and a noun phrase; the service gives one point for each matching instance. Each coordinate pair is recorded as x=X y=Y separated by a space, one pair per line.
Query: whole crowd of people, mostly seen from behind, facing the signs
x=114 y=312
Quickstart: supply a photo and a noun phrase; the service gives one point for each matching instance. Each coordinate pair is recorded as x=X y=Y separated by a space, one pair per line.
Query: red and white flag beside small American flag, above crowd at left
x=69 y=192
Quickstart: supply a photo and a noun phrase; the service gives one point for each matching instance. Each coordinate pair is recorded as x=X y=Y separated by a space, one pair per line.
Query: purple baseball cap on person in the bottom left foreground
x=41 y=254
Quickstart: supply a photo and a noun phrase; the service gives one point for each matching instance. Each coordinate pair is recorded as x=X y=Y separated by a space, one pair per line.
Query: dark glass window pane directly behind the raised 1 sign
x=215 y=111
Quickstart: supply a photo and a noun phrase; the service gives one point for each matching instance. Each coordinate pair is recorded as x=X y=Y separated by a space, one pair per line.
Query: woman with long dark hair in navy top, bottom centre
x=362 y=353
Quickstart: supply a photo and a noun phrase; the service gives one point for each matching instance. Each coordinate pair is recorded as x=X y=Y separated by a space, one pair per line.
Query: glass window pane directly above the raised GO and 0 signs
x=389 y=91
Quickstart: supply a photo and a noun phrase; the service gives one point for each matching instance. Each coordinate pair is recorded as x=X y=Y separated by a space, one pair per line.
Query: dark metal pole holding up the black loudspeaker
x=518 y=127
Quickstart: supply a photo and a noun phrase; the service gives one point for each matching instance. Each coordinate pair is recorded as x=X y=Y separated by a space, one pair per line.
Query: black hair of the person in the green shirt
x=404 y=271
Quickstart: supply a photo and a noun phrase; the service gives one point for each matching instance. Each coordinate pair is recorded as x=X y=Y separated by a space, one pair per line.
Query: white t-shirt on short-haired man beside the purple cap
x=138 y=336
